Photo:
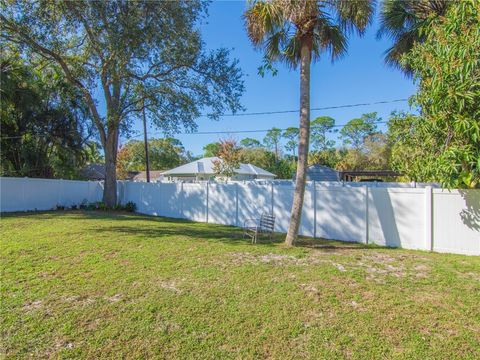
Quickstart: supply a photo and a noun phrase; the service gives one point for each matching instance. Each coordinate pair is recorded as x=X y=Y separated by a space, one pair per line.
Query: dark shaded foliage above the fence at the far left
x=45 y=125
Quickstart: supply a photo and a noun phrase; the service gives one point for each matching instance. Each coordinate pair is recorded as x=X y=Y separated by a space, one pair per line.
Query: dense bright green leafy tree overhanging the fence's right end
x=444 y=140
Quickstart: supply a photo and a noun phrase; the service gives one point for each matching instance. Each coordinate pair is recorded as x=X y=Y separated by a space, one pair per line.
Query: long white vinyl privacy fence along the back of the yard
x=412 y=218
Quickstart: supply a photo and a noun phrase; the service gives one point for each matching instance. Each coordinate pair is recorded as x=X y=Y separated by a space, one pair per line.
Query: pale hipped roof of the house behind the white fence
x=205 y=166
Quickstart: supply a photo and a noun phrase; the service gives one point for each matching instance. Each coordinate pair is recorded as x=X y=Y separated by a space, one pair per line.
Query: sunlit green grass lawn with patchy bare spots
x=97 y=285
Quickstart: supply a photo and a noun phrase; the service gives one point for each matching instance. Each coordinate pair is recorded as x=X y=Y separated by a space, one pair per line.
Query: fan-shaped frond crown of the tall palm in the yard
x=279 y=27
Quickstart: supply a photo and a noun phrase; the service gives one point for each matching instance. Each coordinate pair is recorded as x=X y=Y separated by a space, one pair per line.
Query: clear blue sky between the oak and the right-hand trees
x=360 y=77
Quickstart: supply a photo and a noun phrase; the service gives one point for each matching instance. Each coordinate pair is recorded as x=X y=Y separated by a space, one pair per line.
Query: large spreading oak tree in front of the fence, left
x=130 y=53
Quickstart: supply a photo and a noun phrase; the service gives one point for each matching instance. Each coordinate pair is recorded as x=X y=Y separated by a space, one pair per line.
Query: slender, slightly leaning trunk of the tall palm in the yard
x=297 y=205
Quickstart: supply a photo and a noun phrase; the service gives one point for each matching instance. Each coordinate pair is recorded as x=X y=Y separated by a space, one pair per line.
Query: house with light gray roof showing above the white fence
x=202 y=169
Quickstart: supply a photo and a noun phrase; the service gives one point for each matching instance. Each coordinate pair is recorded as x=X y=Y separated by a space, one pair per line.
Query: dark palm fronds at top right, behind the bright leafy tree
x=402 y=21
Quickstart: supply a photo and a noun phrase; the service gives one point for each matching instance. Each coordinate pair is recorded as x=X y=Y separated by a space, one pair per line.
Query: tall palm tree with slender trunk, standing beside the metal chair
x=296 y=32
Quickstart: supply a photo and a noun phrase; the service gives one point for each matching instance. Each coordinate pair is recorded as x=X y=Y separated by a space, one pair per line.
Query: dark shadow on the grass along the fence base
x=163 y=227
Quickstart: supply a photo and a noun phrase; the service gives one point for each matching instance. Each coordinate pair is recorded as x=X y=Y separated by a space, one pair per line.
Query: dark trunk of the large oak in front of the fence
x=110 y=186
